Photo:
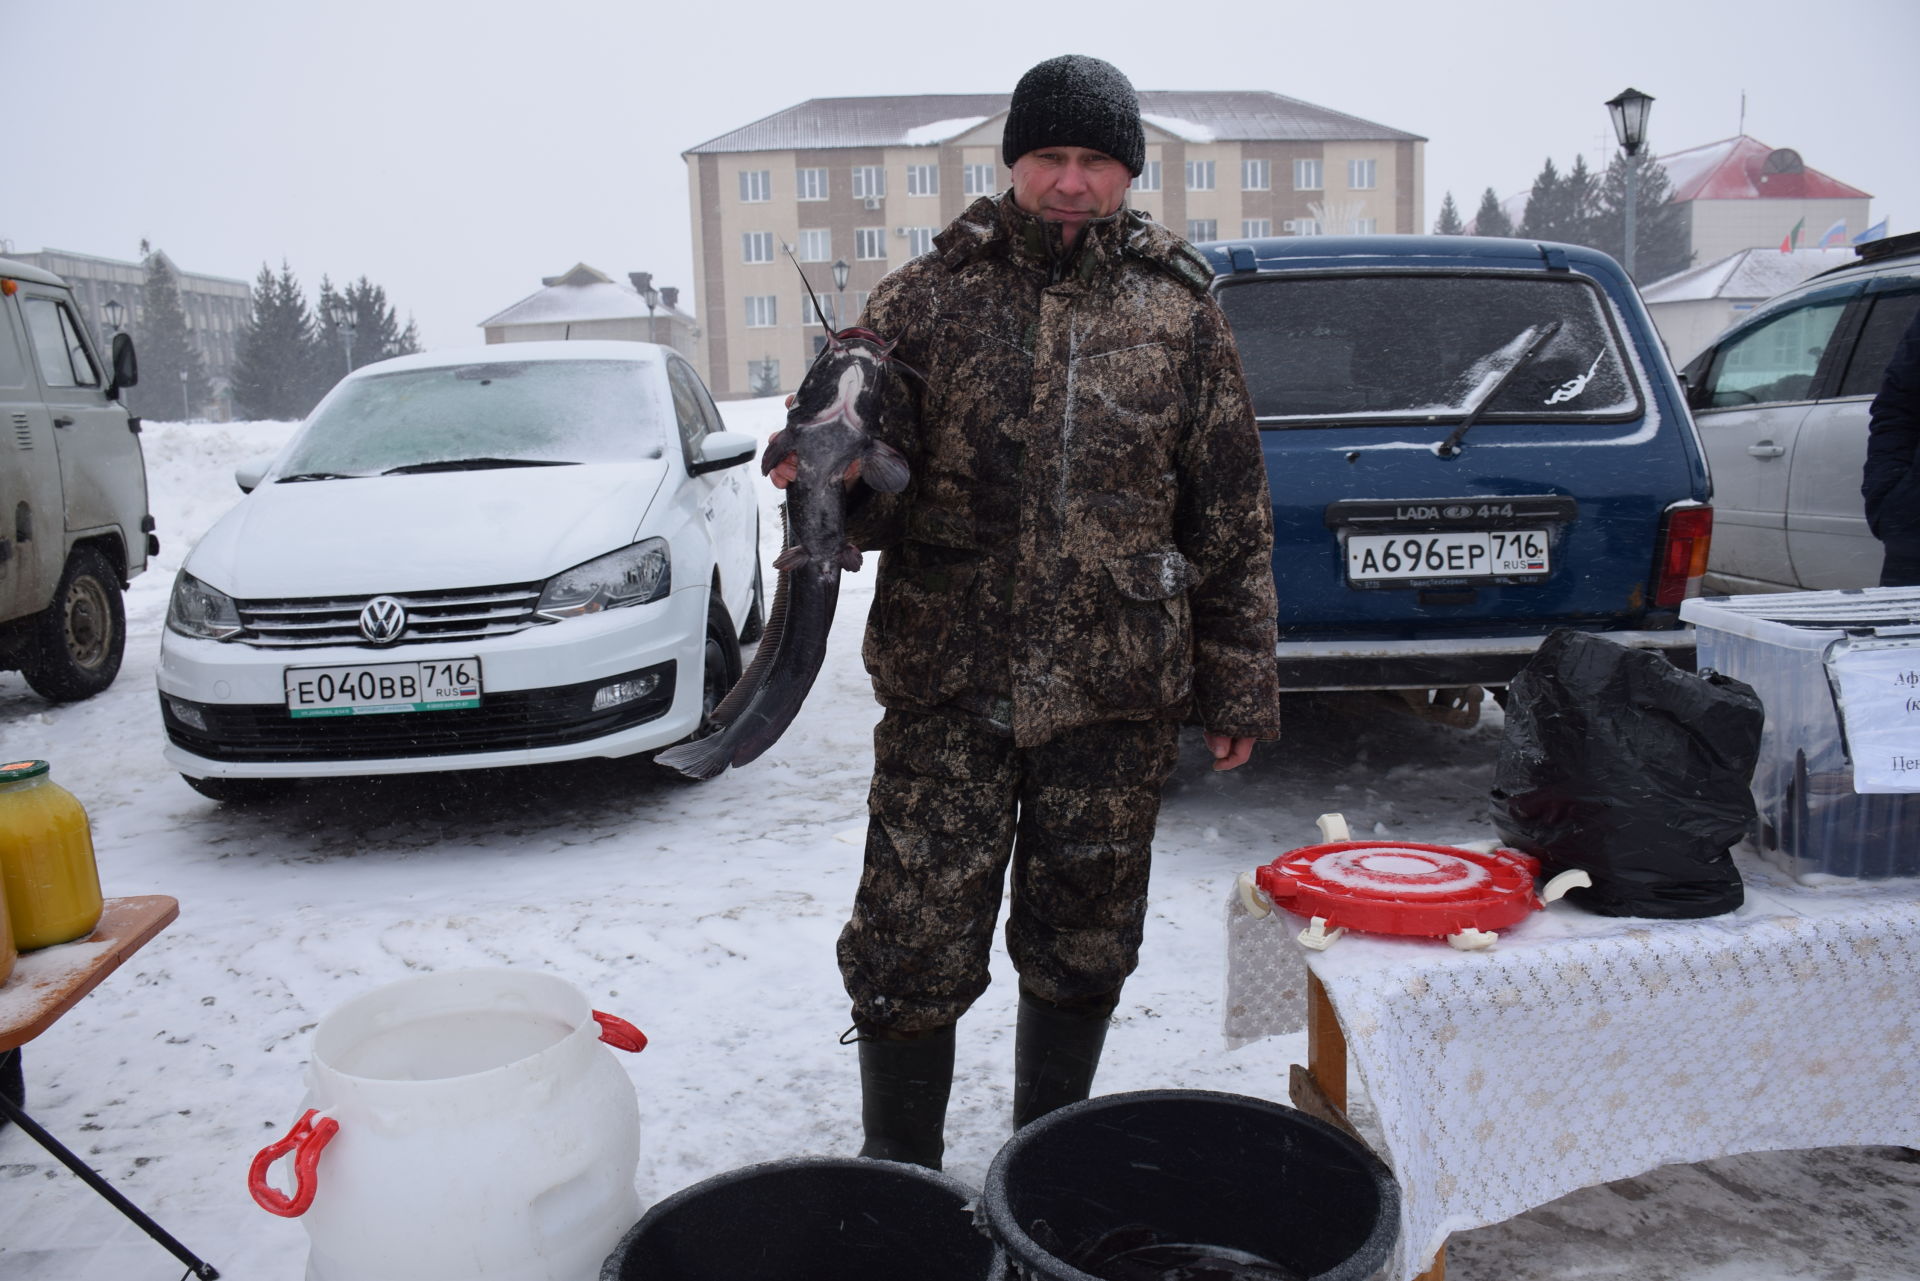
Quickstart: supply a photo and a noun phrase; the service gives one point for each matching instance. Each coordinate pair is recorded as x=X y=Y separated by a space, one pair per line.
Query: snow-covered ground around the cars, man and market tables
x=708 y=917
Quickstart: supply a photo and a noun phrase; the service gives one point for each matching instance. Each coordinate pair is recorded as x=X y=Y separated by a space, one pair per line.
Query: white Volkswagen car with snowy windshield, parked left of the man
x=469 y=560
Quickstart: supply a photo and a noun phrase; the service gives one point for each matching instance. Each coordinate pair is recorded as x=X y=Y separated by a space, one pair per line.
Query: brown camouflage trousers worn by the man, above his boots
x=955 y=804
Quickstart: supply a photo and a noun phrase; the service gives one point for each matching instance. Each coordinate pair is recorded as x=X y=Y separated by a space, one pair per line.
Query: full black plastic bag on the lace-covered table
x=1633 y=771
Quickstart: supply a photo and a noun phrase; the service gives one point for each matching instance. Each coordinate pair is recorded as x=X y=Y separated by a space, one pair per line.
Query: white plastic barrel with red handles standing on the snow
x=466 y=1126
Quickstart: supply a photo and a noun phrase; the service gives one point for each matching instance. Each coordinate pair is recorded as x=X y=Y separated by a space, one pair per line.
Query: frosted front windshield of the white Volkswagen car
x=494 y=414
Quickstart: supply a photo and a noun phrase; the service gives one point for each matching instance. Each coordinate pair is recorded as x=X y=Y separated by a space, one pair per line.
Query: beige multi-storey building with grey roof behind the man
x=869 y=183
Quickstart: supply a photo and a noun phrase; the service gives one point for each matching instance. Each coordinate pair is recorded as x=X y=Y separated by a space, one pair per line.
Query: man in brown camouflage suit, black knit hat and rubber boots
x=1080 y=564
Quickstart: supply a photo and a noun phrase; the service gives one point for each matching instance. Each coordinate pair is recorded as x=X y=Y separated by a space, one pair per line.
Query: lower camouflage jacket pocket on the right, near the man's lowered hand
x=1143 y=658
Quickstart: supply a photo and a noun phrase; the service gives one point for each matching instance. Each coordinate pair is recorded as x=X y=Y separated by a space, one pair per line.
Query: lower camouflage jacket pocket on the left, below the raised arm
x=921 y=642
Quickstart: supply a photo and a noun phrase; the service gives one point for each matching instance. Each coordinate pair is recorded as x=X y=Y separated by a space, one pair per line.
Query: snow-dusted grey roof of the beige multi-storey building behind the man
x=928 y=120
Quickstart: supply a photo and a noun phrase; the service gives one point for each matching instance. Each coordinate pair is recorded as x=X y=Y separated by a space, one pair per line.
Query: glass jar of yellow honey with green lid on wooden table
x=47 y=859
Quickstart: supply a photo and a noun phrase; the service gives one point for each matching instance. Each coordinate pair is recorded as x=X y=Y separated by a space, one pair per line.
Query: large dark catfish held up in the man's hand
x=827 y=433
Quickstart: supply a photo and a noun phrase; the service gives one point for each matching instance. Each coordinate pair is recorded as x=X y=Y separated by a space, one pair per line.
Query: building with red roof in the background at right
x=1744 y=195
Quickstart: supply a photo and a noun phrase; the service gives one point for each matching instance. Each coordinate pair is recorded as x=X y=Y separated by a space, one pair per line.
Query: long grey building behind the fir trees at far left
x=216 y=308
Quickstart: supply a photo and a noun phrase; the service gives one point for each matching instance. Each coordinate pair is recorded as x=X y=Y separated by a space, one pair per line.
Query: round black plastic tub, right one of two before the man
x=1159 y=1184
